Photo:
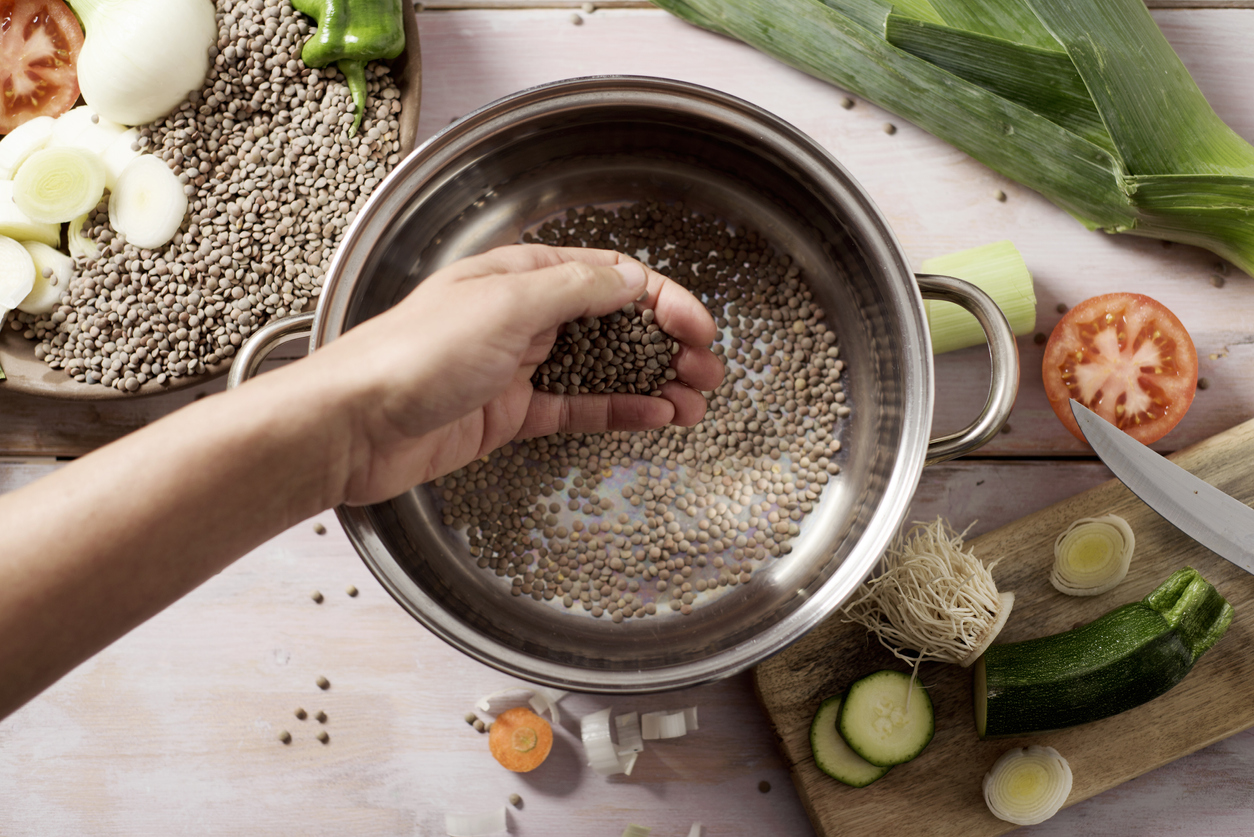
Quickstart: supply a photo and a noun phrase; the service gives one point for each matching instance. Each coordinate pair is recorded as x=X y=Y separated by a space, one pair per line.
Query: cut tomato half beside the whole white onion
x=40 y=47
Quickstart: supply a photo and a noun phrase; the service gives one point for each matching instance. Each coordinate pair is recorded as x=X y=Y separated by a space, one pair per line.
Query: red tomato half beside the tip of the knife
x=1127 y=358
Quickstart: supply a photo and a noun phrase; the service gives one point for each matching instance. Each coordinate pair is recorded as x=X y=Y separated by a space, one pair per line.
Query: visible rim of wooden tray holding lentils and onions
x=24 y=373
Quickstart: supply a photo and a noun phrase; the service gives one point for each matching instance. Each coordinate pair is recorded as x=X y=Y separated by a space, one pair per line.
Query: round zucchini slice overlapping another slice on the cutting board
x=887 y=718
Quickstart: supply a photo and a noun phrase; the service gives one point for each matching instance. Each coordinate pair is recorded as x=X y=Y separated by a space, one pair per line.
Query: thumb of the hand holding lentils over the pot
x=550 y=297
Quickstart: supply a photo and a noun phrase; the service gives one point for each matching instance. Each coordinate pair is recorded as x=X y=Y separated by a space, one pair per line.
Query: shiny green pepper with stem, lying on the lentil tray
x=352 y=33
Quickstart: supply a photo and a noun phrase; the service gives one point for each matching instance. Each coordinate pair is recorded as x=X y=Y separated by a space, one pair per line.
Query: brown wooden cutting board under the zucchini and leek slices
x=940 y=792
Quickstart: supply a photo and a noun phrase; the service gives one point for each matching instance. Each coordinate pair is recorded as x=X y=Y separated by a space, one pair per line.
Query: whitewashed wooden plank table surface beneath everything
x=174 y=731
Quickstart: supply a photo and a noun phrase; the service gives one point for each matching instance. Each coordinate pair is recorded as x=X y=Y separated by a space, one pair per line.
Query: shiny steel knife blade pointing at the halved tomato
x=1220 y=523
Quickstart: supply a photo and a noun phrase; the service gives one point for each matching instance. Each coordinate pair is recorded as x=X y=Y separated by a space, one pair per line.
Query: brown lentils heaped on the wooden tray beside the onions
x=273 y=180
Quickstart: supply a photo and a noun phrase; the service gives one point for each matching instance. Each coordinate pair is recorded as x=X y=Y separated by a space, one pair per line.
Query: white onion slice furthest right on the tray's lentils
x=149 y=204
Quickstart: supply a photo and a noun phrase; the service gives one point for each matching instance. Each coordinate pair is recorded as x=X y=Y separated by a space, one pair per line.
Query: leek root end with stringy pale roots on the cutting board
x=932 y=600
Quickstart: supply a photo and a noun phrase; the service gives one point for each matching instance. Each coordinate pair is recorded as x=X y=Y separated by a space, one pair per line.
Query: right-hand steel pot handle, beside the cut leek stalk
x=1004 y=355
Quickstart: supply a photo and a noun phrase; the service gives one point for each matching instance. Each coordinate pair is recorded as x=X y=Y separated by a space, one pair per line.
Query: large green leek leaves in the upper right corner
x=1085 y=104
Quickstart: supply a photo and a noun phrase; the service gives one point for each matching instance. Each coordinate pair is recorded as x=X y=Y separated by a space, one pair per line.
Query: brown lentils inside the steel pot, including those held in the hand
x=630 y=525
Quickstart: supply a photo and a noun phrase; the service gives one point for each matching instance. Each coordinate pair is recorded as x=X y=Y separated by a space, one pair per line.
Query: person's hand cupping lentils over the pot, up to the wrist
x=448 y=371
